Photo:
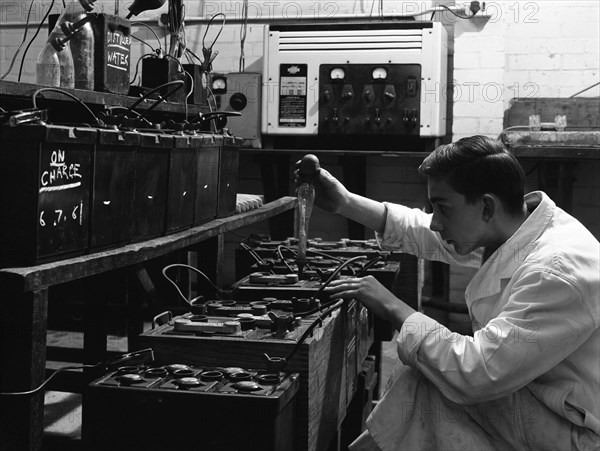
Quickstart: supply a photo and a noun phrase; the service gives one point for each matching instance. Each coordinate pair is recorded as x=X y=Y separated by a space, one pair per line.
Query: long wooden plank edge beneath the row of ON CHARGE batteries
x=26 y=279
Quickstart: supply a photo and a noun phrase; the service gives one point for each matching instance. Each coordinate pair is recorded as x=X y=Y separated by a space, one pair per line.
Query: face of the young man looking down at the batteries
x=458 y=222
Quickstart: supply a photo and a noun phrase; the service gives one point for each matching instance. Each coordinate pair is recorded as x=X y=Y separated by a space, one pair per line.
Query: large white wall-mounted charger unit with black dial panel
x=375 y=78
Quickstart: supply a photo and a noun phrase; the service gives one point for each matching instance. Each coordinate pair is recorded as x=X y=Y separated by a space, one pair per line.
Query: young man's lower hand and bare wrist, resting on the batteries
x=373 y=295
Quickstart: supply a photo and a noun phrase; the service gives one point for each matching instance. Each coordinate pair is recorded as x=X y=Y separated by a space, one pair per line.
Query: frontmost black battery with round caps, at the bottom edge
x=177 y=406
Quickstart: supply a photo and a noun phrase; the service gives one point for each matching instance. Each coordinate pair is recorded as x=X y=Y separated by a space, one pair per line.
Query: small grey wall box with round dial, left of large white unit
x=240 y=92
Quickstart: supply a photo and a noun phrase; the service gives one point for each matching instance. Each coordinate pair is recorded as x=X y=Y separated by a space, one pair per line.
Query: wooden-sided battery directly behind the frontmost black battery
x=328 y=360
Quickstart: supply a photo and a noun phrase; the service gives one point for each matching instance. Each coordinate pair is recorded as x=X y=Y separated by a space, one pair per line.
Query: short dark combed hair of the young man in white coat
x=477 y=165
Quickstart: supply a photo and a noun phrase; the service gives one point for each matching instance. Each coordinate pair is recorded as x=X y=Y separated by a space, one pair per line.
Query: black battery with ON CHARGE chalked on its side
x=45 y=186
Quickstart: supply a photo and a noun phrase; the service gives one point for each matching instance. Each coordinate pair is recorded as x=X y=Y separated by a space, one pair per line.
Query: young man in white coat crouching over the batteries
x=529 y=377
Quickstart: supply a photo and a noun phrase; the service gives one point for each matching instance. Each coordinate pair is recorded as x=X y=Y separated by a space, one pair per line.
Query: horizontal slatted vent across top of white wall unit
x=350 y=40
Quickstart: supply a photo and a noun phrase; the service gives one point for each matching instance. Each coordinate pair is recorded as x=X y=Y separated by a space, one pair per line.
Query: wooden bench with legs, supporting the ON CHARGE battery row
x=23 y=323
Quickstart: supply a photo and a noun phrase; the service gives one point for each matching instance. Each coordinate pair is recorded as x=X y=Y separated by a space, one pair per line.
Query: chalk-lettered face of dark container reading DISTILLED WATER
x=112 y=36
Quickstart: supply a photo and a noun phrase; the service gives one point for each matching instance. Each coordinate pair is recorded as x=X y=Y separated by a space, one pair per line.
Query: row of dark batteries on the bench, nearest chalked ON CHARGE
x=78 y=189
